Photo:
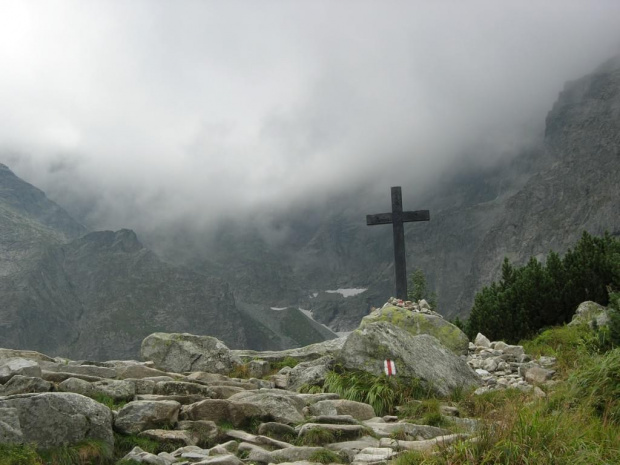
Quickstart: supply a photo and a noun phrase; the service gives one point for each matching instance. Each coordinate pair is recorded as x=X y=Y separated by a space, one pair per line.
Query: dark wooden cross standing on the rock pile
x=397 y=218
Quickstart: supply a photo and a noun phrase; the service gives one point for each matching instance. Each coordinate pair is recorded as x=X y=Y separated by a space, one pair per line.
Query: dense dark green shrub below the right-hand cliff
x=535 y=296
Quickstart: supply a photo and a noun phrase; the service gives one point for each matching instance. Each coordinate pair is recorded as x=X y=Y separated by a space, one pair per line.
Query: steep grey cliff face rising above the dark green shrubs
x=578 y=191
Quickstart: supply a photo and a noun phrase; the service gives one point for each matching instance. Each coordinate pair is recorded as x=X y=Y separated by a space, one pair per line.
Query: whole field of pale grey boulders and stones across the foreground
x=188 y=394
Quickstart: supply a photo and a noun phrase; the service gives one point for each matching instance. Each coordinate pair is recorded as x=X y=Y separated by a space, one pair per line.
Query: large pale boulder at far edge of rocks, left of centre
x=187 y=352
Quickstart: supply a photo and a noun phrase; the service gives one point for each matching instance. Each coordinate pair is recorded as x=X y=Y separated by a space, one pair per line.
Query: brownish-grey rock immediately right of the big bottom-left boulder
x=141 y=415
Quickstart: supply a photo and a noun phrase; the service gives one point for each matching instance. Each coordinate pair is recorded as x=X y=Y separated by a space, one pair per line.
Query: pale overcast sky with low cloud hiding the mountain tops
x=152 y=112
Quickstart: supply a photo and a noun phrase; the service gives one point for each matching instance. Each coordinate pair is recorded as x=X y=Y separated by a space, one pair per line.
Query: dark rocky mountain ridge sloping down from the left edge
x=67 y=291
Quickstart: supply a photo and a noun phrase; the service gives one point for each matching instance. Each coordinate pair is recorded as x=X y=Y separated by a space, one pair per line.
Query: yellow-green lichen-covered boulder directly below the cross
x=421 y=323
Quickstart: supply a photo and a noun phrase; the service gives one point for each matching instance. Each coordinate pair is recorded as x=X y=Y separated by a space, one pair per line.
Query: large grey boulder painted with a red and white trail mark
x=422 y=357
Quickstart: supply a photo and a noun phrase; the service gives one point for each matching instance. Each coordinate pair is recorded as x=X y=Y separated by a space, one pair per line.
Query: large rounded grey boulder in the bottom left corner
x=60 y=418
